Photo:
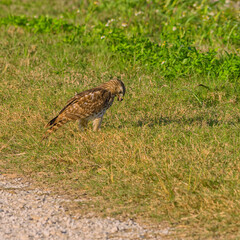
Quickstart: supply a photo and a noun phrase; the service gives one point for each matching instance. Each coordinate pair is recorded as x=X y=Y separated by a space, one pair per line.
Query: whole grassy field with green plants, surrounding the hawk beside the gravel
x=170 y=151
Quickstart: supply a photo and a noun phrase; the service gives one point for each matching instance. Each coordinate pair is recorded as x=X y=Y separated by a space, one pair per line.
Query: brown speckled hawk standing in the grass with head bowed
x=89 y=105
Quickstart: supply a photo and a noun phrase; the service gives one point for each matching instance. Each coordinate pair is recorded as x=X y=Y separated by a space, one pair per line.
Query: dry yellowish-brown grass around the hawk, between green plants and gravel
x=163 y=158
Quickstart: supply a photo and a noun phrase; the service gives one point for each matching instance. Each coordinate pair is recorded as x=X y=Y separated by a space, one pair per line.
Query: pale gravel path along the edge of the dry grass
x=34 y=214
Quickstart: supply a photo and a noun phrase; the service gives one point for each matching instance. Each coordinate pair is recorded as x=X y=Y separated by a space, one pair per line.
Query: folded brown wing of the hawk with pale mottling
x=86 y=103
